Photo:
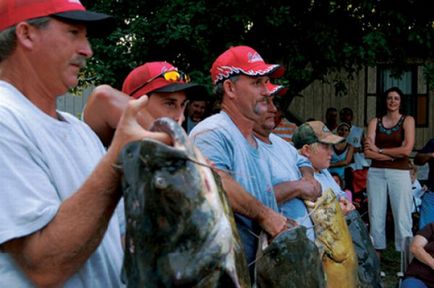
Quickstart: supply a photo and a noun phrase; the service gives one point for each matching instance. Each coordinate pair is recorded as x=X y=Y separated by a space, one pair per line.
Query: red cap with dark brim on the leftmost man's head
x=14 y=11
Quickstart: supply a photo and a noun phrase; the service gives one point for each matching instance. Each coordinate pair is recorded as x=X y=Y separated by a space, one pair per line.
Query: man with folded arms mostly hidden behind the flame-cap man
x=291 y=173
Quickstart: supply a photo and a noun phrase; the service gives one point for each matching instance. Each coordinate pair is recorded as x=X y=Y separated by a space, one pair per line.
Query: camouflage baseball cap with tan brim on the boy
x=313 y=132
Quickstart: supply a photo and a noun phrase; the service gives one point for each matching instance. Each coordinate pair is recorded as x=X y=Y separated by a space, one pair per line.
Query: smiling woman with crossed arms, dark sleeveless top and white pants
x=389 y=143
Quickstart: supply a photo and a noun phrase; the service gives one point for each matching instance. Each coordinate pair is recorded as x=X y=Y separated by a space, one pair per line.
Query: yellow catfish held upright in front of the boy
x=334 y=241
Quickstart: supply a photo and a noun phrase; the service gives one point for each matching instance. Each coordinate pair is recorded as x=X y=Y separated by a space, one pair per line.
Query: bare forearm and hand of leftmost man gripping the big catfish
x=53 y=254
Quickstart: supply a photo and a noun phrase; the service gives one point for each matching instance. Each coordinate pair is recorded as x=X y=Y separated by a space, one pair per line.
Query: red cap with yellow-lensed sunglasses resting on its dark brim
x=146 y=79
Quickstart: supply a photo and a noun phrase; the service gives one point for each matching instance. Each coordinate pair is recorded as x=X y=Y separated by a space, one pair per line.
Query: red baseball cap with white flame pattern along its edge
x=242 y=60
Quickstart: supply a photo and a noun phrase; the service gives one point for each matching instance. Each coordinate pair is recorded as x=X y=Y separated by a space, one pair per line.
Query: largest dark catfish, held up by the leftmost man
x=180 y=231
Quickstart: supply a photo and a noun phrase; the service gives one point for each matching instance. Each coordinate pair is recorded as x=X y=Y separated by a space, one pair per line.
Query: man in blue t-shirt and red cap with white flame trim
x=240 y=76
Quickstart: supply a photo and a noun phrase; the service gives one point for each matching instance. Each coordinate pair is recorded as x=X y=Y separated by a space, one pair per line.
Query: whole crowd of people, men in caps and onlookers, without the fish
x=62 y=212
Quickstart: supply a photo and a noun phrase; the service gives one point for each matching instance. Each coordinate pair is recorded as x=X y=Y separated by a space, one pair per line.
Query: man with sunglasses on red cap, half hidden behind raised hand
x=167 y=88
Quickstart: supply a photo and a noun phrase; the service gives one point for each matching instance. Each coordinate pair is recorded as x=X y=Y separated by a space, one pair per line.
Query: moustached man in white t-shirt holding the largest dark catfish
x=59 y=185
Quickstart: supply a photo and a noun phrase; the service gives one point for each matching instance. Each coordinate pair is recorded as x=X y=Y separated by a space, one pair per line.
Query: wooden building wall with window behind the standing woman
x=363 y=96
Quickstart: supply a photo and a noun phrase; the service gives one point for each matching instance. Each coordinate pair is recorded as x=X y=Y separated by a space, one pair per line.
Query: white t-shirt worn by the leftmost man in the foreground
x=43 y=162
